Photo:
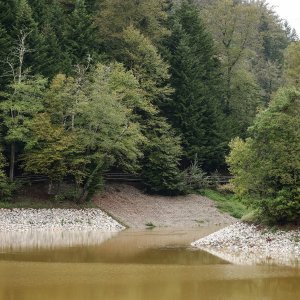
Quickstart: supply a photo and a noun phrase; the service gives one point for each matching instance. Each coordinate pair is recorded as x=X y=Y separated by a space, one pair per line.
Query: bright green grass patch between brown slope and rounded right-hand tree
x=227 y=203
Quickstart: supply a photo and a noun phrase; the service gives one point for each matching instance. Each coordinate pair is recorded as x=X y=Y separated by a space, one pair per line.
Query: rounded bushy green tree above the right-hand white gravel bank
x=267 y=165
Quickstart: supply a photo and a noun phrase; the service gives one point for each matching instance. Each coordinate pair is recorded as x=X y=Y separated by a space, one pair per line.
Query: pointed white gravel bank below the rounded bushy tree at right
x=246 y=244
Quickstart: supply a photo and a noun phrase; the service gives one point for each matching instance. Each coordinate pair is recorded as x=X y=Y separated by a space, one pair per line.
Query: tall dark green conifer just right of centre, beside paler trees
x=195 y=109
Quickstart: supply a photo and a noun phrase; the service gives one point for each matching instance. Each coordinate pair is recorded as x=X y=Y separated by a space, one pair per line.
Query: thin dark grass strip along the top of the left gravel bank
x=34 y=203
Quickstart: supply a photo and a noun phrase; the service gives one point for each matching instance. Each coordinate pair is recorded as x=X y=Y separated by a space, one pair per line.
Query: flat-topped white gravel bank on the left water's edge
x=56 y=219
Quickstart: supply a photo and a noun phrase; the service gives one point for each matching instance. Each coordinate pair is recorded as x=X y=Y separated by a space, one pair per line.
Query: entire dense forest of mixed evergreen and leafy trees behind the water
x=170 y=90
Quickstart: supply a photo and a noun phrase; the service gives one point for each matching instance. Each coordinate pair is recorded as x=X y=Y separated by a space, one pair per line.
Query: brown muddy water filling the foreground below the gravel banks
x=131 y=265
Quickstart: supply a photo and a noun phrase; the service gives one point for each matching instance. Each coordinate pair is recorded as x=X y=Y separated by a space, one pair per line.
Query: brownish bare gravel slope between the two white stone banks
x=134 y=208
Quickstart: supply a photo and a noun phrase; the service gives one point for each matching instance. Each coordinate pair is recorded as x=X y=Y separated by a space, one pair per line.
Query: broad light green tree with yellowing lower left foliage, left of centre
x=89 y=127
